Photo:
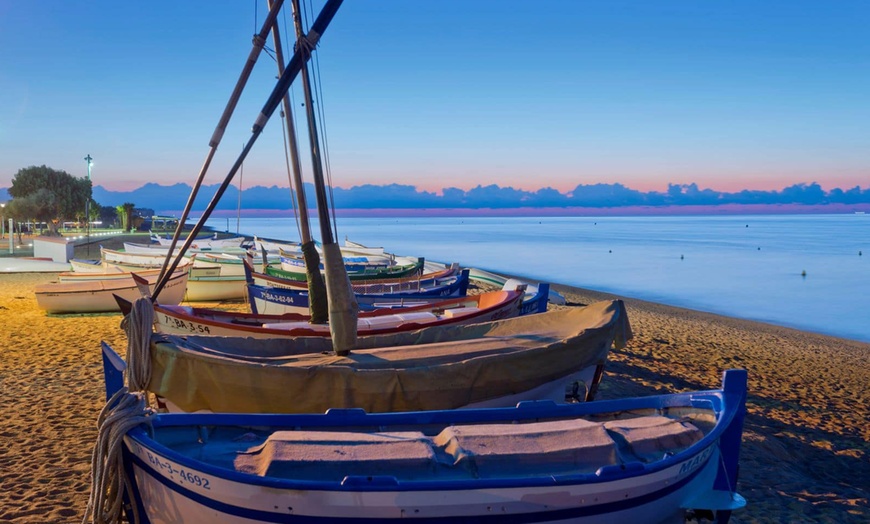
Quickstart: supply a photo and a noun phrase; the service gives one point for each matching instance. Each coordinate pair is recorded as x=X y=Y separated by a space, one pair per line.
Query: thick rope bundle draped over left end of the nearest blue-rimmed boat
x=123 y=412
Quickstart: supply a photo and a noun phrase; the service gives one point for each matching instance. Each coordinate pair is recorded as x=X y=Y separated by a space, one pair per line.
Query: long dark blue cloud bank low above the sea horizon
x=494 y=197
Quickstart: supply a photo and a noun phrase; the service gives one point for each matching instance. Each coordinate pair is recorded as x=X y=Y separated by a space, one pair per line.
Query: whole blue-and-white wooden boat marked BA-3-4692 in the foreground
x=647 y=459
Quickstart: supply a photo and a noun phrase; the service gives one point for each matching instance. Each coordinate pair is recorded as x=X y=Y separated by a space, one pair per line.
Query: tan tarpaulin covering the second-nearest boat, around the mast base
x=433 y=368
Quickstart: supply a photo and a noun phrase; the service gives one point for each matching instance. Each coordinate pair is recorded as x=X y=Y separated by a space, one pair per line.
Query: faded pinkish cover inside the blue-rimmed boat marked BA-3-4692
x=489 y=450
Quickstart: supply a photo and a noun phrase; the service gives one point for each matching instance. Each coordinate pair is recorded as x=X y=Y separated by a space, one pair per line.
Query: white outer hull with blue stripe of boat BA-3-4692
x=173 y=493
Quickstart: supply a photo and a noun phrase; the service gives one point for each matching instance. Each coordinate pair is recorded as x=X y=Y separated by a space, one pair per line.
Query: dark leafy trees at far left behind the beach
x=44 y=195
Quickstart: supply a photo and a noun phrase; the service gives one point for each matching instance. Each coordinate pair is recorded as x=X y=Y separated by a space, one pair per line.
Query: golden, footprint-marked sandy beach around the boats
x=804 y=457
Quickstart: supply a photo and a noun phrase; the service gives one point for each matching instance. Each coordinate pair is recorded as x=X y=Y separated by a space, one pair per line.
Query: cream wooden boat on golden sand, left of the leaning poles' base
x=97 y=295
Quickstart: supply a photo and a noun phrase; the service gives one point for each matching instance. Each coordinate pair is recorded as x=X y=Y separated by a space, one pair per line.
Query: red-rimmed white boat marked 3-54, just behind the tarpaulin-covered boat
x=185 y=320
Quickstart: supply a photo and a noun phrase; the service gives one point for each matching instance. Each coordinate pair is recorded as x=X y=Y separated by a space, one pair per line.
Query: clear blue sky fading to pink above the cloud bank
x=729 y=95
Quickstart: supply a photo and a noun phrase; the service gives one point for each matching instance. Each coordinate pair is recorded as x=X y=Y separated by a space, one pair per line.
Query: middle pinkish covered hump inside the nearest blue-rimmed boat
x=551 y=448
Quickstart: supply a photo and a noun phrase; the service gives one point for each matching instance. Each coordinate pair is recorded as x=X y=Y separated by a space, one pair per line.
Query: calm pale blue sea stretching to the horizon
x=801 y=271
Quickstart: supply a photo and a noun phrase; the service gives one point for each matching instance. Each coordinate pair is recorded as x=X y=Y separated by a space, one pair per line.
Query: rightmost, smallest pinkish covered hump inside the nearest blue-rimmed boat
x=647 y=439
